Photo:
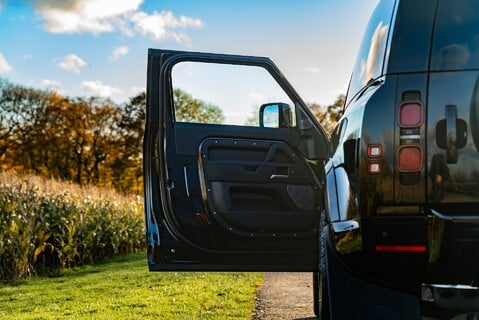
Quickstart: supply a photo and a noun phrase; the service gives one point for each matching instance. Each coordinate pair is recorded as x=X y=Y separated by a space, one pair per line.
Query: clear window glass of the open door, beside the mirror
x=226 y=94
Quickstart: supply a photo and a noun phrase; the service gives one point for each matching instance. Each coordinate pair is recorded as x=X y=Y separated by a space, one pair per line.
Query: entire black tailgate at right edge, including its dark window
x=453 y=113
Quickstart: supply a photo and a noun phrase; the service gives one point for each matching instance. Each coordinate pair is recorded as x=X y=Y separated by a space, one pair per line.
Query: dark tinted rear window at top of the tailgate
x=456 y=38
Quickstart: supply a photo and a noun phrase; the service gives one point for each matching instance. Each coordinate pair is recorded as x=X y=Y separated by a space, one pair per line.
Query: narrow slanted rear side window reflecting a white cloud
x=370 y=59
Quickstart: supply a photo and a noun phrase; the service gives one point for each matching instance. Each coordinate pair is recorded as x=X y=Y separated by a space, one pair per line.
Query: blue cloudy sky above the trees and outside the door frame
x=99 y=47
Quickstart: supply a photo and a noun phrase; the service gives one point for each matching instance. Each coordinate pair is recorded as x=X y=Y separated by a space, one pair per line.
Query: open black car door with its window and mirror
x=233 y=166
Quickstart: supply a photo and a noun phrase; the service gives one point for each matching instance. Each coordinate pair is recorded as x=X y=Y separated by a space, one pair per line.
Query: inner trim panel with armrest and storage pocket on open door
x=273 y=194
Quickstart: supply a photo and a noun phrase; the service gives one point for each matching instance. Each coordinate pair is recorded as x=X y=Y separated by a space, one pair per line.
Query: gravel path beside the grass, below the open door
x=285 y=296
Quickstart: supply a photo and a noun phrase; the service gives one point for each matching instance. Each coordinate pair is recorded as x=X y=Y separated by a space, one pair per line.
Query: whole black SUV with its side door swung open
x=240 y=176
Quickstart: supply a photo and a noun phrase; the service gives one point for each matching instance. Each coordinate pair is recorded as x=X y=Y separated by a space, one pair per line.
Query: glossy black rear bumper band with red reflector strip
x=407 y=251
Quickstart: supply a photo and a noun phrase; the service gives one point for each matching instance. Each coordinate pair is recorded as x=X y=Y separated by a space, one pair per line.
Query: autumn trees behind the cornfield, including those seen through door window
x=91 y=140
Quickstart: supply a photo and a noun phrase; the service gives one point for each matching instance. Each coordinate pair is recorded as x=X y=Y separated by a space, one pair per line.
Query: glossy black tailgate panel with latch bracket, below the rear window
x=451 y=139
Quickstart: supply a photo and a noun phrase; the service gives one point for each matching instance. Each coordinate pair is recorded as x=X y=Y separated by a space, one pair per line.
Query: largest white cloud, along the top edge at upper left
x=99 y=16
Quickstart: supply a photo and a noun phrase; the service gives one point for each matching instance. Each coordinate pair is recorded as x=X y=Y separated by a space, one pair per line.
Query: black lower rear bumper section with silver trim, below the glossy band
x=355 y=297
